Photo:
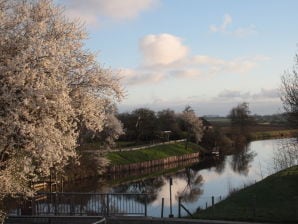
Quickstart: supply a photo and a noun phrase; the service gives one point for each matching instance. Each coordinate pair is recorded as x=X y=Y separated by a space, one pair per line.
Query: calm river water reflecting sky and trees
x=199 y=182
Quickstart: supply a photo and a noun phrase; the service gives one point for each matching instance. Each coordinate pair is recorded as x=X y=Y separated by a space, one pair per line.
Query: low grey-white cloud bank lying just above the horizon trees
x=265 y=101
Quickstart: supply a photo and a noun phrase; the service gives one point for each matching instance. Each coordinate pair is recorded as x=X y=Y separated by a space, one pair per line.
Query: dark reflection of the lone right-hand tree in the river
x=242 y=158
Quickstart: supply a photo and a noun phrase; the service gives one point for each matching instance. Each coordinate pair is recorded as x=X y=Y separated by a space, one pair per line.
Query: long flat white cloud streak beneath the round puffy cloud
x=199 y=66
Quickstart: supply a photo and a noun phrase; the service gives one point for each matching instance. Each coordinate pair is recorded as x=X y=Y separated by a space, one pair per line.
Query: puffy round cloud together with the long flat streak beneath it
x=165 y=56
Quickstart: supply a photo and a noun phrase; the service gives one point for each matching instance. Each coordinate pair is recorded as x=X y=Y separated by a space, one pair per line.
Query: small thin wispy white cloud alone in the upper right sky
x=238 y=32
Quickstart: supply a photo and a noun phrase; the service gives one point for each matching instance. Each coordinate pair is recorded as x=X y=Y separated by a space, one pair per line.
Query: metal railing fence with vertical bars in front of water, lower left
x=84 y=204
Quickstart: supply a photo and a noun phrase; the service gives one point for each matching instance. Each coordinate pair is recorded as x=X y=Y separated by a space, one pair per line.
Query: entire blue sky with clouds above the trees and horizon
x=209 y=54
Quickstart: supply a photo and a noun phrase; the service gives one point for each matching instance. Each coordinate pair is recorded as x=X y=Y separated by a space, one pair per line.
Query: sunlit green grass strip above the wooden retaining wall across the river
x=157 y=152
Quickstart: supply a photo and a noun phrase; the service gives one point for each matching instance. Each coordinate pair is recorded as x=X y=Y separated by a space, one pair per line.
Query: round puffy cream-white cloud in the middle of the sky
x=162 y=49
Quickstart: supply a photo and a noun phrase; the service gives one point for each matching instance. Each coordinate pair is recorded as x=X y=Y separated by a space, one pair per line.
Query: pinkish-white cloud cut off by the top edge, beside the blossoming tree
x=89 y=11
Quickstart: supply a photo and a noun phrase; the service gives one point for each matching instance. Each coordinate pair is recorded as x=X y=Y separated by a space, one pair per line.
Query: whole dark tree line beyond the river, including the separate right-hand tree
x=145 y=125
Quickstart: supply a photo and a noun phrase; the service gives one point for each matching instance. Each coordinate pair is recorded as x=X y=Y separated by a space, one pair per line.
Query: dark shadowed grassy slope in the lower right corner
x=273 y=199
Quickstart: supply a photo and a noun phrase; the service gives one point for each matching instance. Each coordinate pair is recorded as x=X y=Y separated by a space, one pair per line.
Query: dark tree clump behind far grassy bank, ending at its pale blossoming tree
x=147 y=125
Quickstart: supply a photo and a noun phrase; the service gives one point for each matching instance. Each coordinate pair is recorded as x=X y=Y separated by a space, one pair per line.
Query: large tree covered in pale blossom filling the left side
x=51 y=88
